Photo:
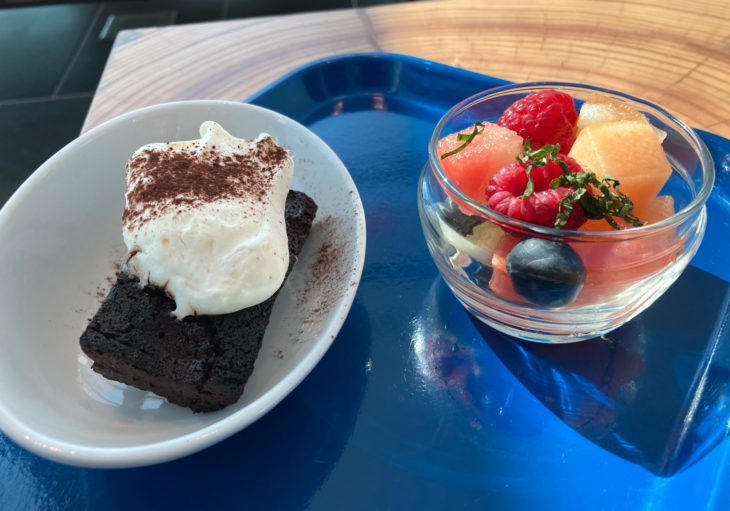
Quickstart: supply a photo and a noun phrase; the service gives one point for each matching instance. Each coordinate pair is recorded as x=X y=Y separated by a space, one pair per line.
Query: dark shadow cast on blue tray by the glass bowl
x=654 y=392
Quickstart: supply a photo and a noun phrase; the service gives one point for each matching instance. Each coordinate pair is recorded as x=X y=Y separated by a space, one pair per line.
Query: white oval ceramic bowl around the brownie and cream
x=60 y=238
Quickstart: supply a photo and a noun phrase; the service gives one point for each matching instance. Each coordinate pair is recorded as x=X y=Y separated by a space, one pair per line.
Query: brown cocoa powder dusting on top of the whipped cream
x=188 y=177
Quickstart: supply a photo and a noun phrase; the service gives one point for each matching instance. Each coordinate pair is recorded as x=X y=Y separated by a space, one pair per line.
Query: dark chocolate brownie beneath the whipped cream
x=200 y=362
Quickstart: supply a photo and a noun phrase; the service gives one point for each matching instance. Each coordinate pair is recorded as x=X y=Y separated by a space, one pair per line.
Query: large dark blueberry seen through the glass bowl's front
x=546 y=272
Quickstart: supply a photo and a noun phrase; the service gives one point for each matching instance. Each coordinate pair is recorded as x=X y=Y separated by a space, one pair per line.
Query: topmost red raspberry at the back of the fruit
x=546 y=117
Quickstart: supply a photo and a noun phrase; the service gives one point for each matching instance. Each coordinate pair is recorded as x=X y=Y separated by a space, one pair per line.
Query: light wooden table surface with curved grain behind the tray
x=675 y=53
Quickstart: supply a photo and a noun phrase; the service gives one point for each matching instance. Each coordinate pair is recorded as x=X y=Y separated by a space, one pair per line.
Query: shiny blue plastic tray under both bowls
x=417 y=405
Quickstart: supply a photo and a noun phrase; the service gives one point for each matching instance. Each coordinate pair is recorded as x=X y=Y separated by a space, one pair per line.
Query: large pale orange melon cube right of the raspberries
x=628 y=151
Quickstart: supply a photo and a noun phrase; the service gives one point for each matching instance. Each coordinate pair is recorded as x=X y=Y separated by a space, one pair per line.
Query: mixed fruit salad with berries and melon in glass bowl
x=598 y=168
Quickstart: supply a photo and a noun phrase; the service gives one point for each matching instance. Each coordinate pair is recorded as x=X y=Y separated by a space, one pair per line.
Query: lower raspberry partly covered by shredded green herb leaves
x=541 y=207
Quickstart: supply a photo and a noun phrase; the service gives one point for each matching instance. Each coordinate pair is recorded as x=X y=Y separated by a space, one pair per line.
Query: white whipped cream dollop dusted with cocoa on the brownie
x=205 y=220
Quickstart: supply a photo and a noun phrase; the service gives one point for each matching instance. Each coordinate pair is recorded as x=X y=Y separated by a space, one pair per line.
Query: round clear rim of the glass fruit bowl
x=697 y=202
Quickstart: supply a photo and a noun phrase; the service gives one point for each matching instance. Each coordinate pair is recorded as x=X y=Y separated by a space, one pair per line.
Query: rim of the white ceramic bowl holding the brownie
x=159 y=452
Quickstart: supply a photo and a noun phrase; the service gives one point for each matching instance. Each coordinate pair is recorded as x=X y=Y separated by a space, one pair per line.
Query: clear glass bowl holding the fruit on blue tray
x=626 y=271
